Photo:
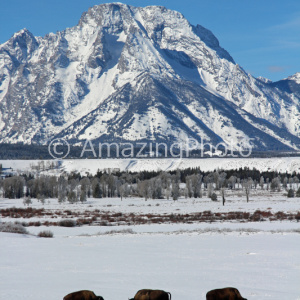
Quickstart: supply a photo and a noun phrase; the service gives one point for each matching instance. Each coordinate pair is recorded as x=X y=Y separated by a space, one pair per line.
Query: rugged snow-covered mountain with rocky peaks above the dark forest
x=139 y=74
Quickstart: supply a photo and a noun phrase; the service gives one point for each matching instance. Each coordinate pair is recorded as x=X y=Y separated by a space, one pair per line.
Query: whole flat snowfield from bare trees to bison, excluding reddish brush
x=261 y=259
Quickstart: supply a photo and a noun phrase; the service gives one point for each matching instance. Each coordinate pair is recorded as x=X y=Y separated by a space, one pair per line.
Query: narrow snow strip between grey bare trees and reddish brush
x=267 y=201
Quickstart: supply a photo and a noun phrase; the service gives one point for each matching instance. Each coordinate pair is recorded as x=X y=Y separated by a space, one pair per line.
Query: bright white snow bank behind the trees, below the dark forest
x=284 y=164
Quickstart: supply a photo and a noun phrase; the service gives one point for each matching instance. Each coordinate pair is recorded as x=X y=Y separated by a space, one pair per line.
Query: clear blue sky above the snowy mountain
x=263 y=36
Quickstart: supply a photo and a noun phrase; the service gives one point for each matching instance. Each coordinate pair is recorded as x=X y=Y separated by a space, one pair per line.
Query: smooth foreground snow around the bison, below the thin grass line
x=261 y=266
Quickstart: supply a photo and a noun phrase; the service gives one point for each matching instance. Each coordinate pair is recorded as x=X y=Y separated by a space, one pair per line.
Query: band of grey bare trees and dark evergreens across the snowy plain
x=188 y=183
